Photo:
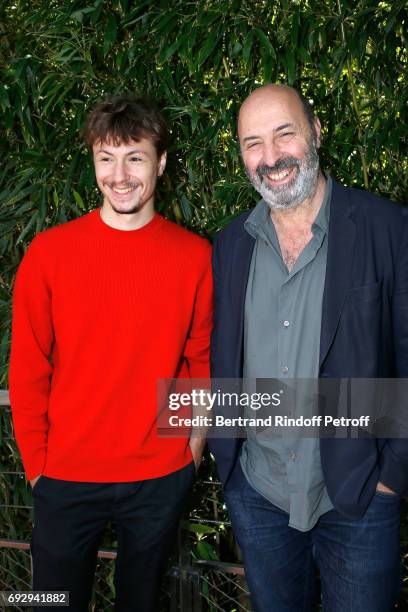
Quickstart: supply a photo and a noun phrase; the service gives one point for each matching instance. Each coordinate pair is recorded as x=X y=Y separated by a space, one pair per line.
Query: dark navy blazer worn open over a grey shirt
x=364 y=332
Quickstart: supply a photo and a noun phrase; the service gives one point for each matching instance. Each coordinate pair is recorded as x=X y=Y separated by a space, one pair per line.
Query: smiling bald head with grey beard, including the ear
x=278 y=146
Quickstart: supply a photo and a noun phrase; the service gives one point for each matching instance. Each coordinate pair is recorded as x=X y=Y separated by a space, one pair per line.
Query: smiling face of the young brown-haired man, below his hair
x=126 y=175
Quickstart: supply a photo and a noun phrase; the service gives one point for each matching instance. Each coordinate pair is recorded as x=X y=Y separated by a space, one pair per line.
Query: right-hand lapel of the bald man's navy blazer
x=342 y=233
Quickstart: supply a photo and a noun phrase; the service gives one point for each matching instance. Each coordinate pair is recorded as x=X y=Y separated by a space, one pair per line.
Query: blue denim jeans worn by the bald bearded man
x=359 y=560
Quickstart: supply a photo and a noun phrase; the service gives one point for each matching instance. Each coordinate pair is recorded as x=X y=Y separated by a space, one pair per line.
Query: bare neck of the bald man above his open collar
x=303 y=215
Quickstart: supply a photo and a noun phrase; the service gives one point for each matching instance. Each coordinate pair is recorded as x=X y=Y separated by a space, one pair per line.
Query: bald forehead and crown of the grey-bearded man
x=266 y=111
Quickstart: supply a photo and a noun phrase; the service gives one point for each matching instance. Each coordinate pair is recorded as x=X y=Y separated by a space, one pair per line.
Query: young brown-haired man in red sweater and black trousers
x=103 y=307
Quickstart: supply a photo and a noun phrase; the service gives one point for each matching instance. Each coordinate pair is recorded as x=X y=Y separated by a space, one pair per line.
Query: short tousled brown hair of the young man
x=120 y=119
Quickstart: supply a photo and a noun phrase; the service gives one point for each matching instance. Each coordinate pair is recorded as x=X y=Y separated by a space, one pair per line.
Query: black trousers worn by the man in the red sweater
x=68 y=521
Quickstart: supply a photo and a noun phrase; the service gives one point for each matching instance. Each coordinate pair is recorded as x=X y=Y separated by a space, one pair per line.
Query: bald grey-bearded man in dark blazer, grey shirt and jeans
x=311 y=283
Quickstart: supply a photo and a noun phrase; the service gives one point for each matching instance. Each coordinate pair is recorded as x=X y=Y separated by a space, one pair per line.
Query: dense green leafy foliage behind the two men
x=200 y=59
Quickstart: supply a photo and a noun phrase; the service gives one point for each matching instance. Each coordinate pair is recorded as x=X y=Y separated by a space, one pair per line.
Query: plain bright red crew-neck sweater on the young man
x=99 y=315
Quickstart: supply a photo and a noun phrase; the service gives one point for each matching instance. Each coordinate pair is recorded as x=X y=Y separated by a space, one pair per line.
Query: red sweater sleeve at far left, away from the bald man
x=30 y=365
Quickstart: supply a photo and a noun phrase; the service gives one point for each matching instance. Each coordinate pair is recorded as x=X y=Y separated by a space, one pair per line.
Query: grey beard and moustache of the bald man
x=302 y=187
